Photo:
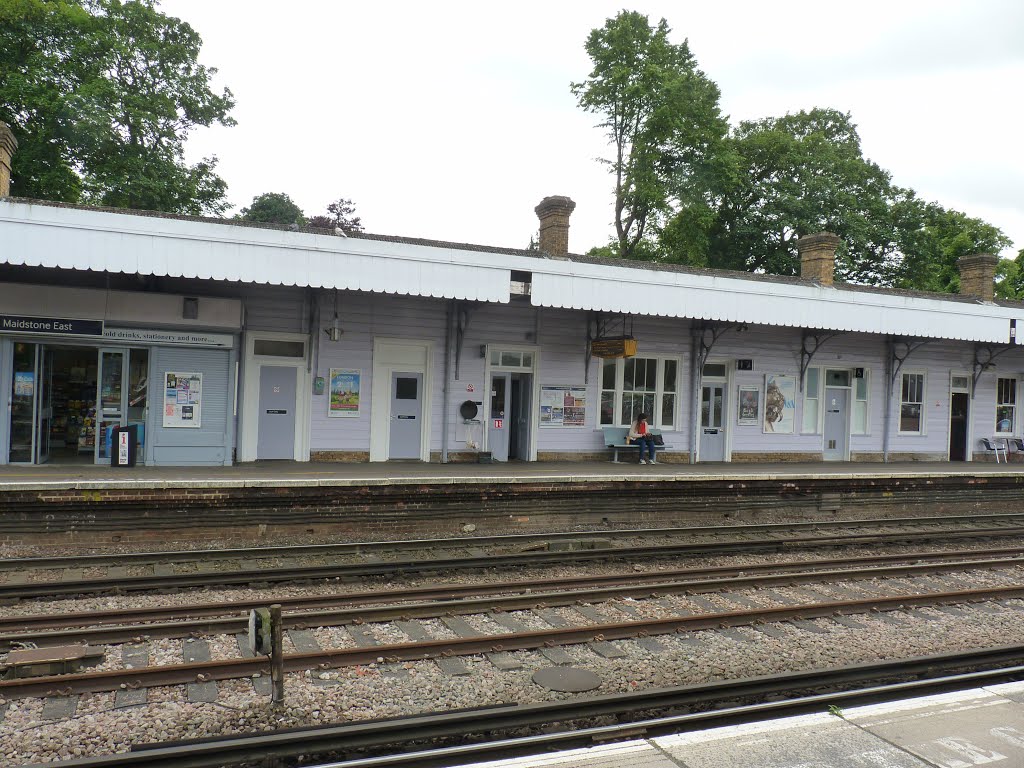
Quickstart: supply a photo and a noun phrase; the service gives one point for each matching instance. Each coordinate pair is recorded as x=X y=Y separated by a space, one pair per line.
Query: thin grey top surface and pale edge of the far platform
x=25 y=478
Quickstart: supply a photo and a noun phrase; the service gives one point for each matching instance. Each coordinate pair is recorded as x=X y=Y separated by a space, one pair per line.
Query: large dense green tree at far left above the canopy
x=102 y=96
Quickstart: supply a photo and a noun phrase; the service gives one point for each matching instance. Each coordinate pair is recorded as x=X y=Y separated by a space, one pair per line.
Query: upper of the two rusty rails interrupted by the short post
x=494 y=604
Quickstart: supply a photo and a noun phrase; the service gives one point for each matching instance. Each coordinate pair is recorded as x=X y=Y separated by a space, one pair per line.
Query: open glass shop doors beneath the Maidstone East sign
x=66 y=402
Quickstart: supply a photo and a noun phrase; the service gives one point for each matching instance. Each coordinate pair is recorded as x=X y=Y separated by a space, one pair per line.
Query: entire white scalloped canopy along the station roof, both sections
x=57 y=236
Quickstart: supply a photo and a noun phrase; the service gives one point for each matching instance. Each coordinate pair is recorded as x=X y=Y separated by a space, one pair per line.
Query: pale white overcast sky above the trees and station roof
x=452 y=120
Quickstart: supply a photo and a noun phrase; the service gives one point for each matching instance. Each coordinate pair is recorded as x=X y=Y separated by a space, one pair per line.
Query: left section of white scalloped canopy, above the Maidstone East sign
x=75 y=239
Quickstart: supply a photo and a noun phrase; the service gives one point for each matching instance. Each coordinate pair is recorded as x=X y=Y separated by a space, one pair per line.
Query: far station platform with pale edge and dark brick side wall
x=291 y=502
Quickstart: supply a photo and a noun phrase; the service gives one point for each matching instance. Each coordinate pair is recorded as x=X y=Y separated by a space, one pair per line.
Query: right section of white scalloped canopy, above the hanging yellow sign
x=613 y=289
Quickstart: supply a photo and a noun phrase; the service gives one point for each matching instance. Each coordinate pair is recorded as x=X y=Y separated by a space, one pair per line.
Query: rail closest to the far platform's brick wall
x=357 y=548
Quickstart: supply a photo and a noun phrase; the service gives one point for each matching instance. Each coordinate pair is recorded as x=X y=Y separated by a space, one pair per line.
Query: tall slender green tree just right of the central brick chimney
x=663 y=120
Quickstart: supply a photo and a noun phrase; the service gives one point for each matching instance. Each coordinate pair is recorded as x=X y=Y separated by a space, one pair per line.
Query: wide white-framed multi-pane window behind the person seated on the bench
x=639 y=385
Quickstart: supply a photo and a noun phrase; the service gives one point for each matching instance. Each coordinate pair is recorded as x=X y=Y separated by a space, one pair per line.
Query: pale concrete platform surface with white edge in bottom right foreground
x=984 y=727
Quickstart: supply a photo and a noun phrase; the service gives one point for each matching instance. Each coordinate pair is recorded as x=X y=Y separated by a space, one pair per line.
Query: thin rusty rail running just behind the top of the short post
x=451 y=592
